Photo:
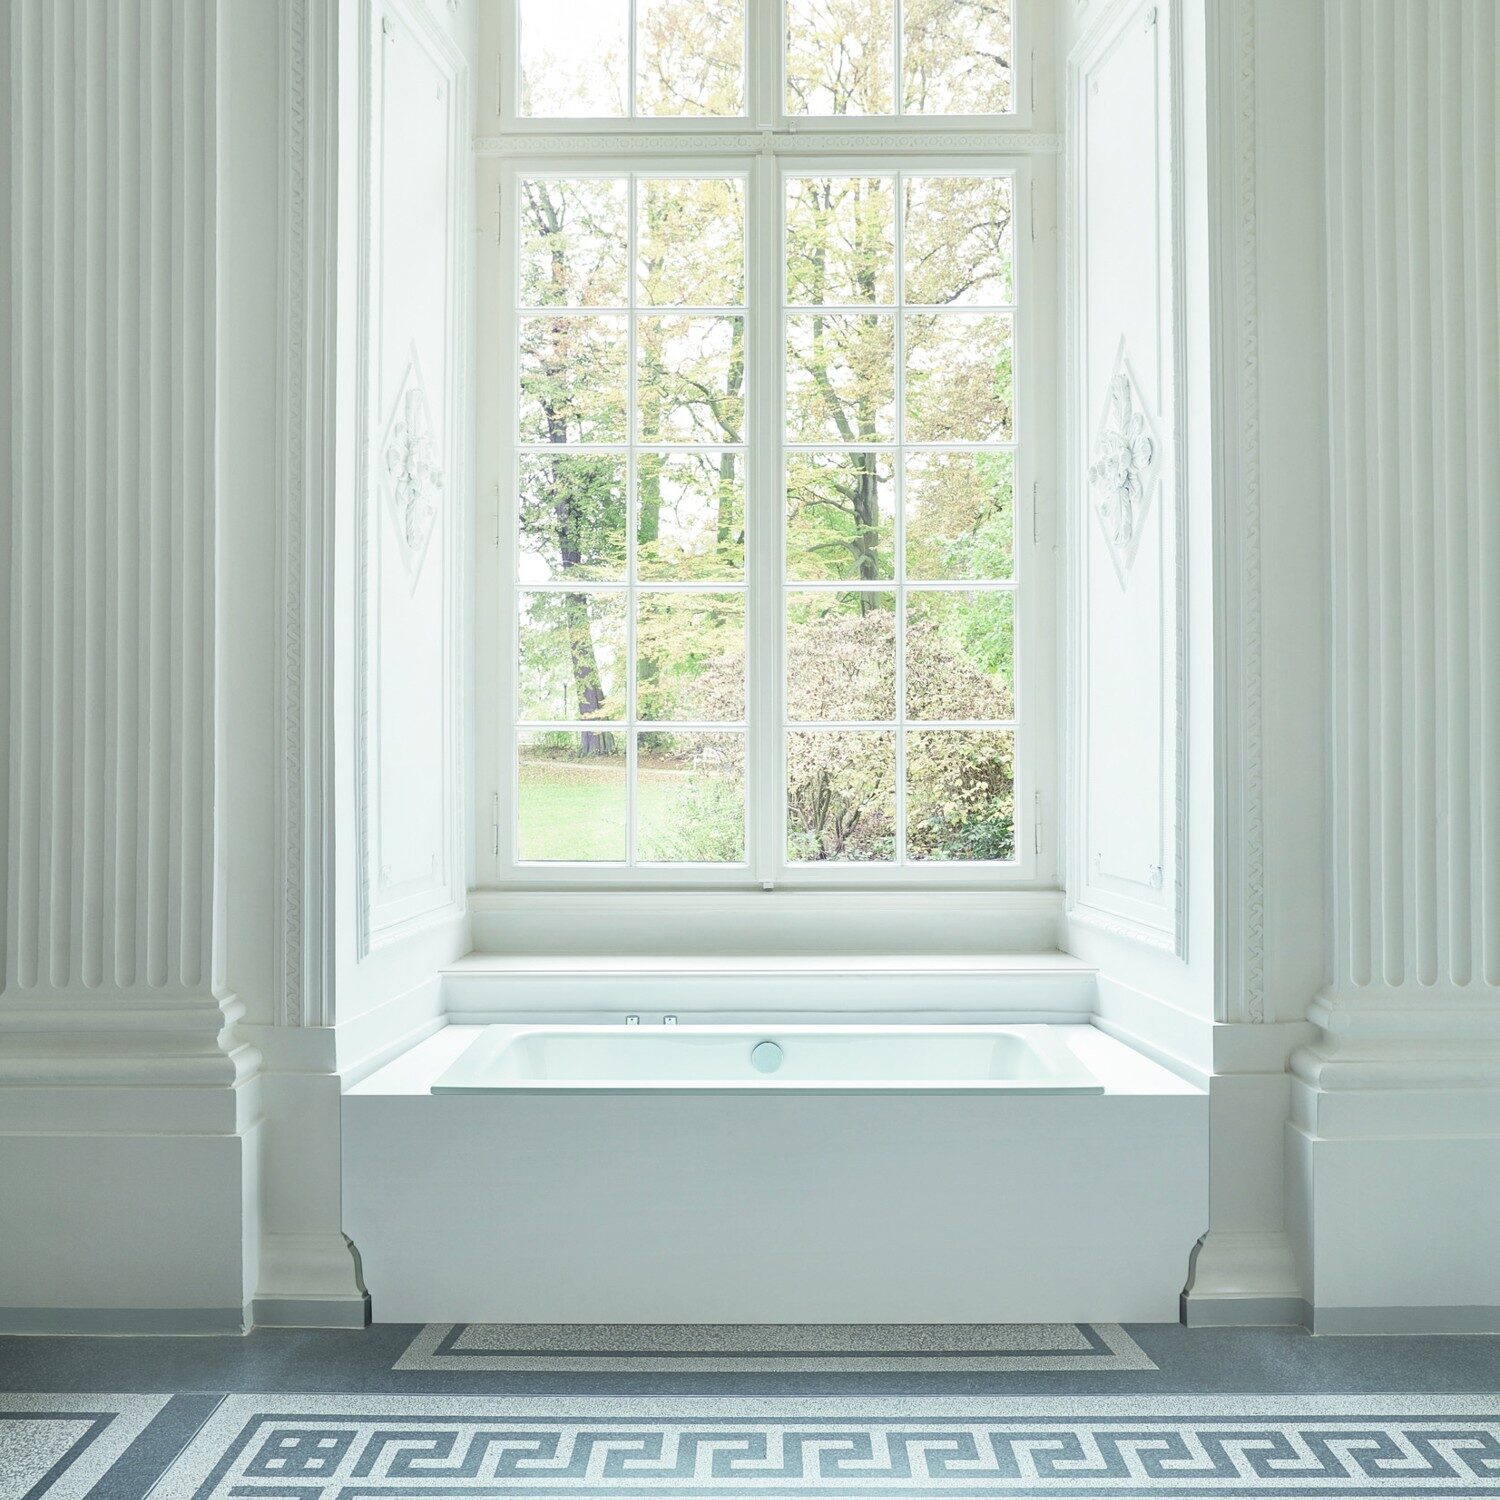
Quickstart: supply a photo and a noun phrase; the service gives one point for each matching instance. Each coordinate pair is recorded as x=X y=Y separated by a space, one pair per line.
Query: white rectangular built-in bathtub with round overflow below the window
x=776 y=1060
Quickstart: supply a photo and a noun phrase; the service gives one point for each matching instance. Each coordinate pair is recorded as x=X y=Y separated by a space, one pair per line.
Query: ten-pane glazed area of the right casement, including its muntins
x=899 y=485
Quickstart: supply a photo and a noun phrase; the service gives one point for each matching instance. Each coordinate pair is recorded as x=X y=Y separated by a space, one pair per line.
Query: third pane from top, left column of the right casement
x=841 y=517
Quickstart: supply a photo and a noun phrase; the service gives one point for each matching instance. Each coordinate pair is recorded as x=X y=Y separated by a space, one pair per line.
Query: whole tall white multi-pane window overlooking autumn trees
x=763 y=433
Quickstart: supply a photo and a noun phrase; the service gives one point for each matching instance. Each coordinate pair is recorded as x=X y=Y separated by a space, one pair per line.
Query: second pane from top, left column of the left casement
x=574 y=380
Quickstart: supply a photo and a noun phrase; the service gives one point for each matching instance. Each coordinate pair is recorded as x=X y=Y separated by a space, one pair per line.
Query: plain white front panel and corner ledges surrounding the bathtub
x=880 y=1207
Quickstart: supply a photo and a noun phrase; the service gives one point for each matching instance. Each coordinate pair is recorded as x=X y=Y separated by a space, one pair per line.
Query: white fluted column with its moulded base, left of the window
x=125 y=1103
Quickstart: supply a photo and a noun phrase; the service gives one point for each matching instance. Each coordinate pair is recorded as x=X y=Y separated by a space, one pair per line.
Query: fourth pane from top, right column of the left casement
x=691 y=658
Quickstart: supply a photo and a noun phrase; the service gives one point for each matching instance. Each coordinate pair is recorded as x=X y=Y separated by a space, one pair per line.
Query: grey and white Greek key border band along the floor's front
x=362 y=1448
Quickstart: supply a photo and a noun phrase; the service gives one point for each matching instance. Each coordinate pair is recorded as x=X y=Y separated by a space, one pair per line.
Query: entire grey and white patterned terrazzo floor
x=472 y=1411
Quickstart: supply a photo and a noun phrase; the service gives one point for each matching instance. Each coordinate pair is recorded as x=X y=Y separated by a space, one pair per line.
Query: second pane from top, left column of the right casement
x=841 y=379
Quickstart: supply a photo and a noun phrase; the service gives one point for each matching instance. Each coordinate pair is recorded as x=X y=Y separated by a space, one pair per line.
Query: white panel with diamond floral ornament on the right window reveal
x=1129 y=662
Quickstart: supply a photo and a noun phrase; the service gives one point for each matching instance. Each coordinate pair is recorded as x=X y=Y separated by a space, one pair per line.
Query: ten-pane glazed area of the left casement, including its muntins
x=631 y=520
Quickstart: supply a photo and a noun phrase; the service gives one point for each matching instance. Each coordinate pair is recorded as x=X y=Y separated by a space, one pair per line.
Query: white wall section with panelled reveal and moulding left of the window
x=374 y=325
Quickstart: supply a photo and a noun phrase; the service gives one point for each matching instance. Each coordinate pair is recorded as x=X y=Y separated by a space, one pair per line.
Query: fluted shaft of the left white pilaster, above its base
x=110 y=617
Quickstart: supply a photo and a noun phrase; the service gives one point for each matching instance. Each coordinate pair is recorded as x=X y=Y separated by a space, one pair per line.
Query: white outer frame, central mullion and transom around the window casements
x=790 y=148
